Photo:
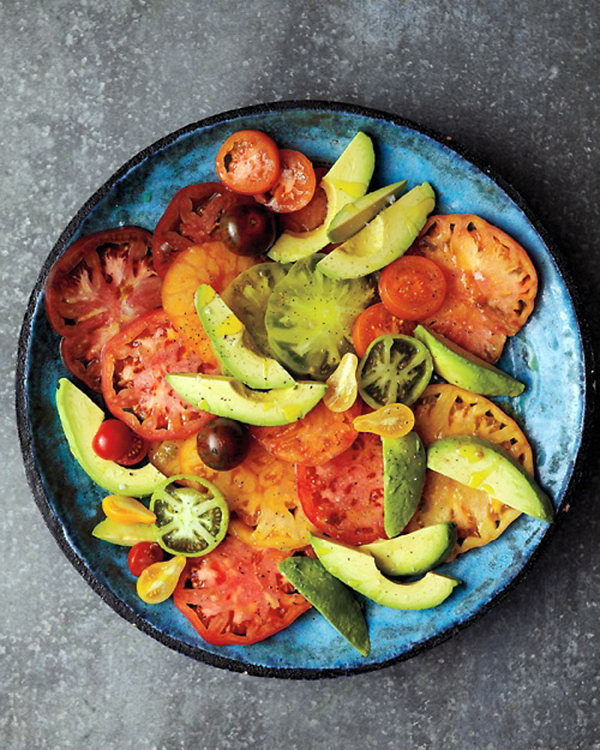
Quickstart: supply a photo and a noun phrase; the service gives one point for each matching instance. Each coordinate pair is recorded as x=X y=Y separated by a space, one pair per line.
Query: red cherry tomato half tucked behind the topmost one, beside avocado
x=296 y=184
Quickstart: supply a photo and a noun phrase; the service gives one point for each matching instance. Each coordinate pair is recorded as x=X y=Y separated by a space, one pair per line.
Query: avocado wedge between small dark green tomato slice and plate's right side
x=461 y=368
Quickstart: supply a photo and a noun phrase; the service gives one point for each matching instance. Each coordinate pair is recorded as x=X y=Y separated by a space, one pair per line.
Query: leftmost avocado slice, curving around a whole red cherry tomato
x=80 y=419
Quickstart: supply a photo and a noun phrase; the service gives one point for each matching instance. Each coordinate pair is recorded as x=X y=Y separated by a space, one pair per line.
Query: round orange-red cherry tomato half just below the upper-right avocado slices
x=412 y=287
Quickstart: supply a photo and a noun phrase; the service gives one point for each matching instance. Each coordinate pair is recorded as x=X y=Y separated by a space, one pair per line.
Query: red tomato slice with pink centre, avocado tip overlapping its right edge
x=134 y=365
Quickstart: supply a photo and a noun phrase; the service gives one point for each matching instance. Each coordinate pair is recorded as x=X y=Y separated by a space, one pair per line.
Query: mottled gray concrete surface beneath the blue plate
x=85 y=84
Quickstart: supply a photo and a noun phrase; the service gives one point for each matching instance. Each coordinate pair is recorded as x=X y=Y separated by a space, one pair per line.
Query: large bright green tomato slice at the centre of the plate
x=309 y=317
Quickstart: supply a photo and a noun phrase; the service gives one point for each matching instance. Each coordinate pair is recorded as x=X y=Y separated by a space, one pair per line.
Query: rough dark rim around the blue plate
x=22 y=399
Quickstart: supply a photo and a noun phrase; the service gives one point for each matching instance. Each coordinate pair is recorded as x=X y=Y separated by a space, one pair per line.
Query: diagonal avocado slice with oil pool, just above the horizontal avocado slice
x=234 y=347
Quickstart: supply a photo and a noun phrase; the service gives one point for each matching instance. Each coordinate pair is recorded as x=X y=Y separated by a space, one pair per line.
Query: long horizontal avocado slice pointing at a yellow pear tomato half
x=228 y=397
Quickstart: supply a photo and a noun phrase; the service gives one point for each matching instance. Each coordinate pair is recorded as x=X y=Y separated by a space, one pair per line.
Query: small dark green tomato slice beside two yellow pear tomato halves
x=395 y=369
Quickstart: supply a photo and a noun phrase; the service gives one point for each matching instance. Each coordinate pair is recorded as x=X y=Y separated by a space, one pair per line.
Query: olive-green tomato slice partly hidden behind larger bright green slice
x=247 y=296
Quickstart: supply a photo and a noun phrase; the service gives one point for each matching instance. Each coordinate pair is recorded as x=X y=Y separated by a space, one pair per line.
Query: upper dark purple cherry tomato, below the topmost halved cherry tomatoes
x=248 y=229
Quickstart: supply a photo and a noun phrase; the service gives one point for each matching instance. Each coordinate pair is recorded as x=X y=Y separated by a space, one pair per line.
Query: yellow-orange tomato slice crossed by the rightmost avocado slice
x=446 y=411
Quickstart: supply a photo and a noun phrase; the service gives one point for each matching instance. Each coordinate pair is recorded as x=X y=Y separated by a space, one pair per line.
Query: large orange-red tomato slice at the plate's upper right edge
x=492 y=282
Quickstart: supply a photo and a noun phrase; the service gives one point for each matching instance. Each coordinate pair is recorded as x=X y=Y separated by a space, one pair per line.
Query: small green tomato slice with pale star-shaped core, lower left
x=189 y=521
